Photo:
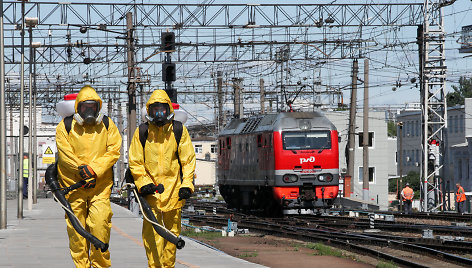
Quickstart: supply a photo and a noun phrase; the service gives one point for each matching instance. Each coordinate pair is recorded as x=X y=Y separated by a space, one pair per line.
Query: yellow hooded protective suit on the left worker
x=99 y=148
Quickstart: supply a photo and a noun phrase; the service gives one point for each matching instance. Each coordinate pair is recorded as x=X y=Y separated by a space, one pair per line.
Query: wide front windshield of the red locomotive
x=307 y=140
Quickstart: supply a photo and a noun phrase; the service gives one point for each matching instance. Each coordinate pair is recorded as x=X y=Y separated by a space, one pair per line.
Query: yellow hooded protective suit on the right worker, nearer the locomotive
x=158 y=163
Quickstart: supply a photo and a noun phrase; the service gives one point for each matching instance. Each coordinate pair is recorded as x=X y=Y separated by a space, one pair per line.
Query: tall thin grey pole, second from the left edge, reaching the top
x=21 y=121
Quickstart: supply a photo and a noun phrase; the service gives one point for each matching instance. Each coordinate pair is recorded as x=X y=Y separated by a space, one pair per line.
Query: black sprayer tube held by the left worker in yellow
x=59 y=194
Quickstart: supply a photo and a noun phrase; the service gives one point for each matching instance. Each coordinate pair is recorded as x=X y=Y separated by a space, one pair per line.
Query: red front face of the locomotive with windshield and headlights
x=306 y=168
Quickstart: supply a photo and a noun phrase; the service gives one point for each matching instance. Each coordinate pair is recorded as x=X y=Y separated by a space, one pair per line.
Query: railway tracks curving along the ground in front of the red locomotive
x=324 y=229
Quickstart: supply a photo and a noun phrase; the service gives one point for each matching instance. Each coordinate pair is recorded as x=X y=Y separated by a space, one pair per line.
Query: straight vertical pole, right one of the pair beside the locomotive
x=365 y=138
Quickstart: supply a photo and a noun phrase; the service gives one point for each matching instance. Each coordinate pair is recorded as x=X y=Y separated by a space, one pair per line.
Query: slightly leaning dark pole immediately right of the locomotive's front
x=352 y=122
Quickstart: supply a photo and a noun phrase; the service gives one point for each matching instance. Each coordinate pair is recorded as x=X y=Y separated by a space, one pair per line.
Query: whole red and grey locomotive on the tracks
x=287 y=161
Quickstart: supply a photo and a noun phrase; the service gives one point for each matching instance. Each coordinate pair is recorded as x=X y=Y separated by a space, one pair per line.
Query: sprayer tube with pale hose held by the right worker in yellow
x=149 y=215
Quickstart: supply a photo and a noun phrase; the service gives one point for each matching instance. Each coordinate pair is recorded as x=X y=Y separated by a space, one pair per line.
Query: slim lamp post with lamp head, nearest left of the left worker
x=30 y=23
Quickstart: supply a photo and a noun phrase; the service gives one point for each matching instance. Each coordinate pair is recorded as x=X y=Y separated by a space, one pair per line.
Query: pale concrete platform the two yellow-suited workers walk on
x=40 y=240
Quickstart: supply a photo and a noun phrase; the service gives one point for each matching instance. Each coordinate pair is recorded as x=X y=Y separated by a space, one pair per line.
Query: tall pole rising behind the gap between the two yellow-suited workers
x=131 y=78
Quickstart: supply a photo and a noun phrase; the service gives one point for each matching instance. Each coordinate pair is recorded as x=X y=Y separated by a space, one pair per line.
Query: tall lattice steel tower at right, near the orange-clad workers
x=433 y=103
